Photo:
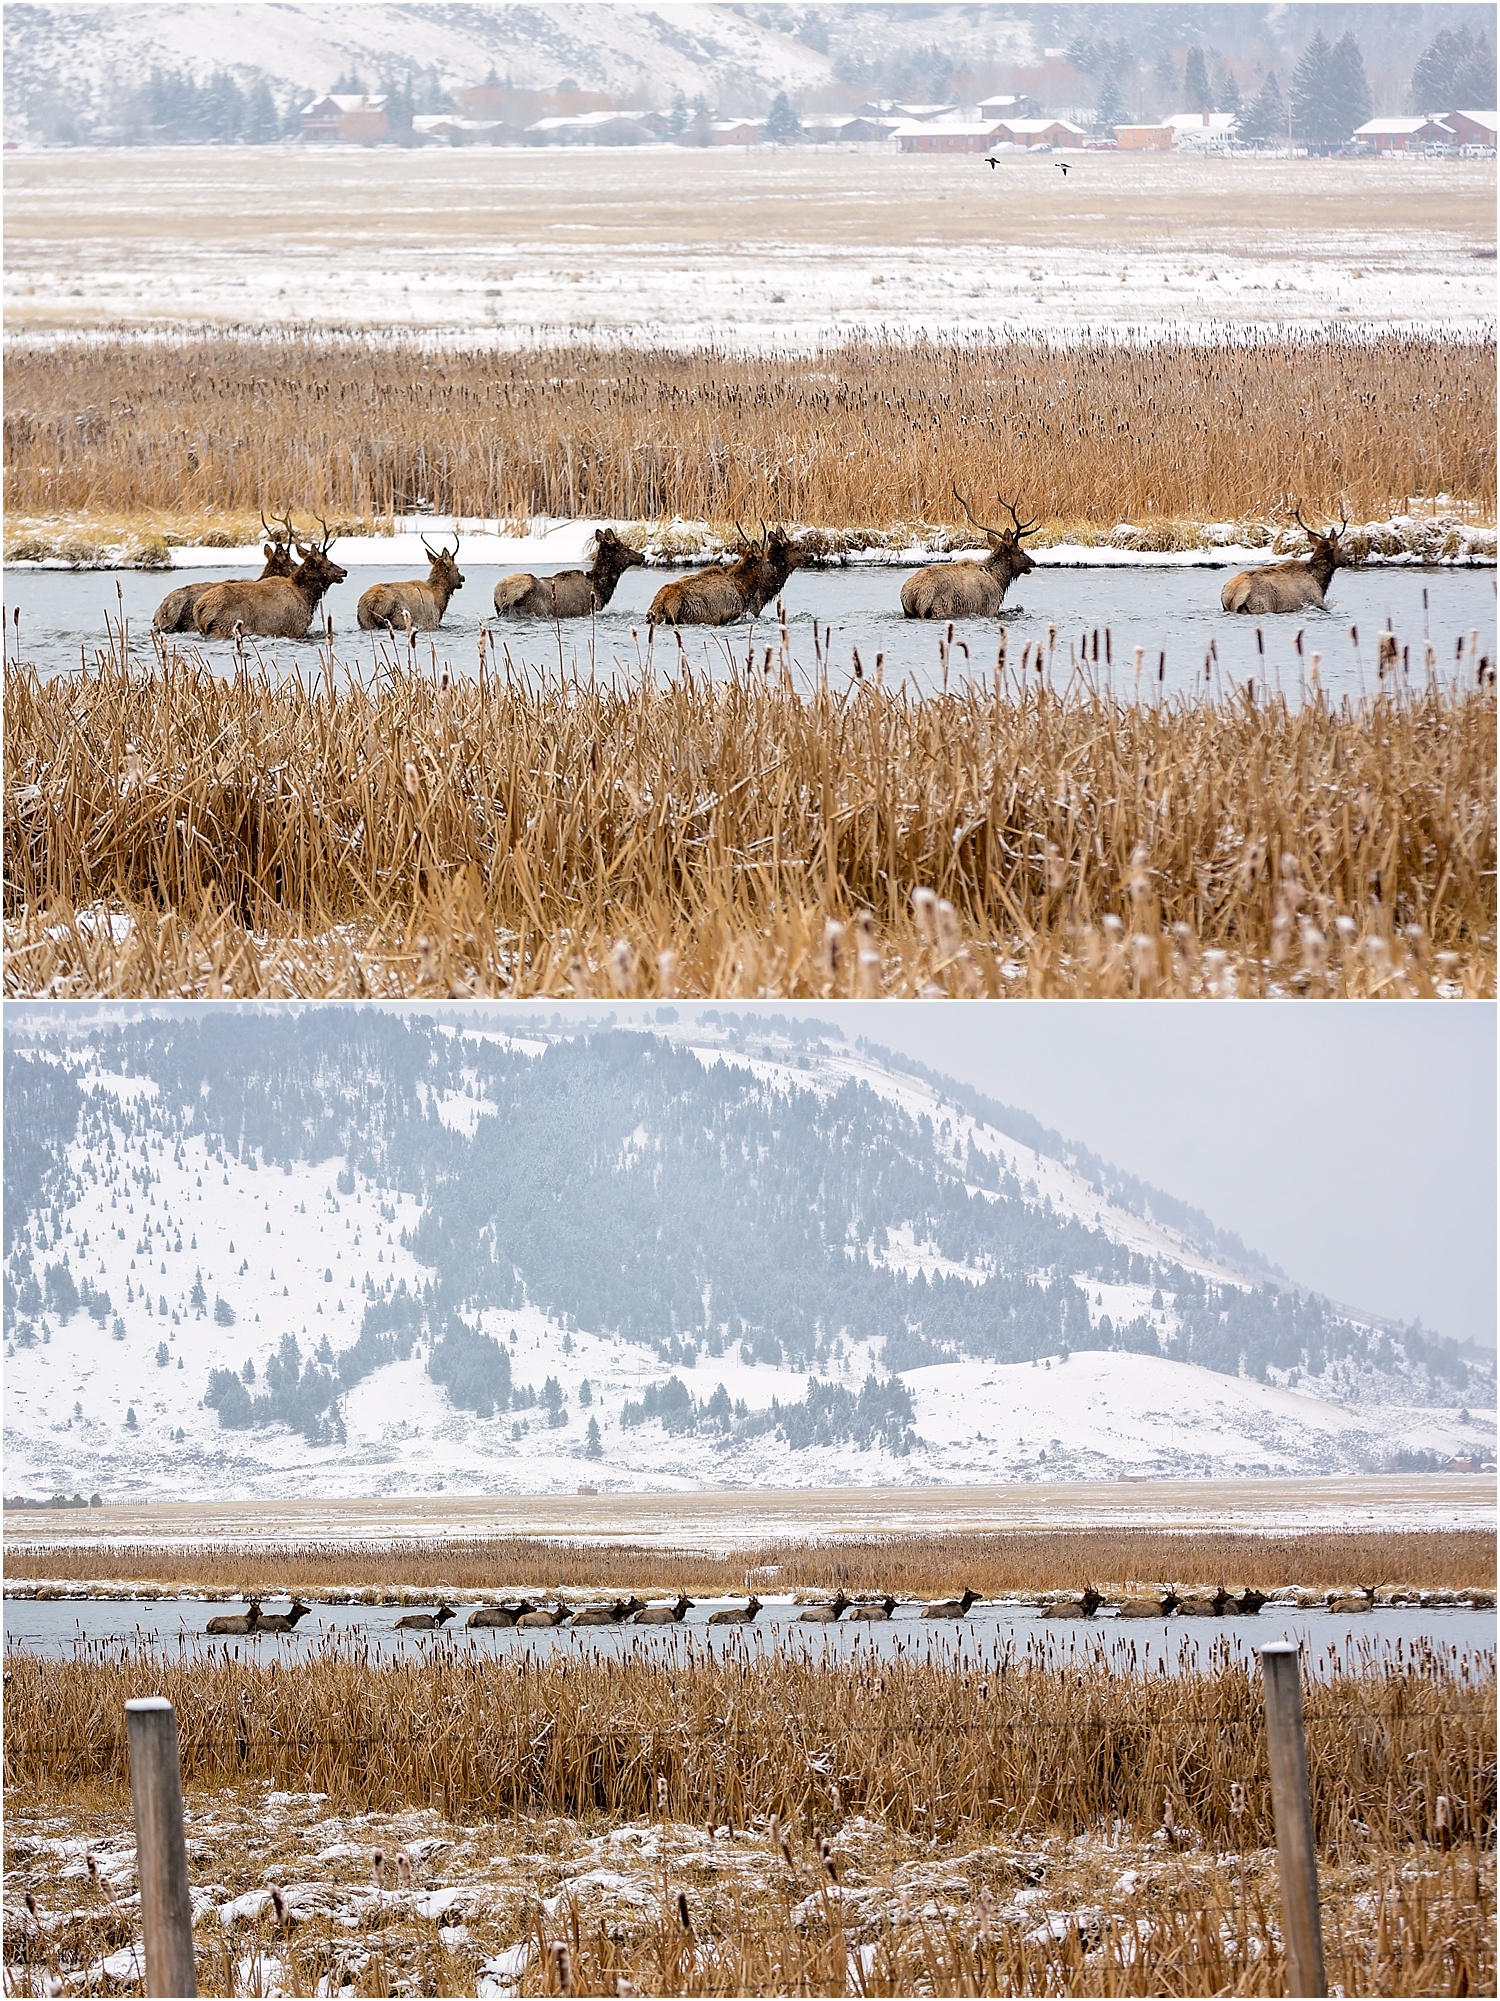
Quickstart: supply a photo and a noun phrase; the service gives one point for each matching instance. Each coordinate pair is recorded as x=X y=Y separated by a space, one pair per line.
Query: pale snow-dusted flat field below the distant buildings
x=755 y=249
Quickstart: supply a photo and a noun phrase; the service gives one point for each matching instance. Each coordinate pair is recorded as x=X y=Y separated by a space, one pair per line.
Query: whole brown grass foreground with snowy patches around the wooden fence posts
x=767 y=1824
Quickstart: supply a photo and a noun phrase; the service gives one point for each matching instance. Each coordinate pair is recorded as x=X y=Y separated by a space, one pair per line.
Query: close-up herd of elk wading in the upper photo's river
x=283 y=601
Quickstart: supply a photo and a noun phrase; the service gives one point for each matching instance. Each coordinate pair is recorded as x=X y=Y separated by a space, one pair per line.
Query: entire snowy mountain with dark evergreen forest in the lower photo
x=359 y=1252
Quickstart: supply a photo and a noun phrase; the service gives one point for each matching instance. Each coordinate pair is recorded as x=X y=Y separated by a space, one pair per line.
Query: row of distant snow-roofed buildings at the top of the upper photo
x=997 y=125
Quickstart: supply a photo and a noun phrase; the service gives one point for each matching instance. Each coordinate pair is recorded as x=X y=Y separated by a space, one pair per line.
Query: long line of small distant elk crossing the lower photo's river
x=527 y=1614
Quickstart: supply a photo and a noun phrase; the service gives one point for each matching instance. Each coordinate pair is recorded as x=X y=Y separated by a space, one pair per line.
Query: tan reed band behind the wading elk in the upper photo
x=865 y=435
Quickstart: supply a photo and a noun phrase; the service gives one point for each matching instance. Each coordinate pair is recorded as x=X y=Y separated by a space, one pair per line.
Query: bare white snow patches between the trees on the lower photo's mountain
x=293 y=1256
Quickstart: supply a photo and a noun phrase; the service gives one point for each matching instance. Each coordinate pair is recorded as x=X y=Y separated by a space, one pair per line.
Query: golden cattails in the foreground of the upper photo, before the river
x=675 y=835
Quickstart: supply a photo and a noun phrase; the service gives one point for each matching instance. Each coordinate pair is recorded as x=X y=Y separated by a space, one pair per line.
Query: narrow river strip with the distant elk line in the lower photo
x=101 y=1628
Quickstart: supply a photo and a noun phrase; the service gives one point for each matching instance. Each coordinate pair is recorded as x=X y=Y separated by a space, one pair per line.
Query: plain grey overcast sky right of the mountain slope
x=1355 y=1144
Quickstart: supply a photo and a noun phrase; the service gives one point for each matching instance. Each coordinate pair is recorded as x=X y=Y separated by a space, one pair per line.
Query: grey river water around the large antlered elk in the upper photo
x=1169 y=615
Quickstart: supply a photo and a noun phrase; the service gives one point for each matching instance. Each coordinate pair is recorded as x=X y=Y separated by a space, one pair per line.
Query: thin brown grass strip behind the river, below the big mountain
x=909 y=1566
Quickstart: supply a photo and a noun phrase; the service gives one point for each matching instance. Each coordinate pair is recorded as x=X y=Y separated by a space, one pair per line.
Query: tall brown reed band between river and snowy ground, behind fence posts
x=1039 y=1736
